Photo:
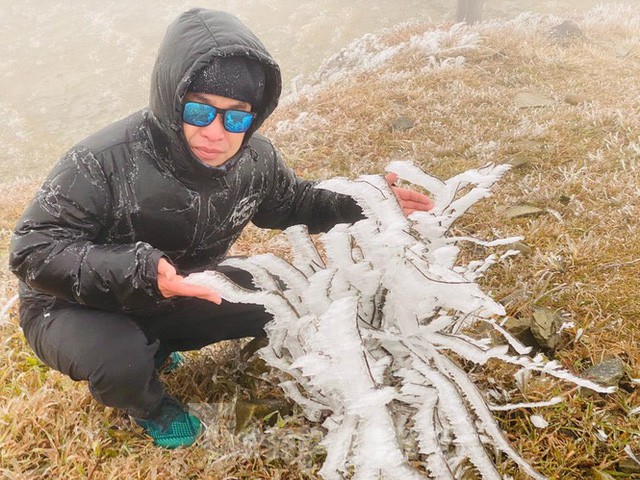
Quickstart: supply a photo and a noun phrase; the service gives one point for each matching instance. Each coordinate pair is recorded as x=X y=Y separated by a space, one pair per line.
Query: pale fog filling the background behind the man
x=70 y=68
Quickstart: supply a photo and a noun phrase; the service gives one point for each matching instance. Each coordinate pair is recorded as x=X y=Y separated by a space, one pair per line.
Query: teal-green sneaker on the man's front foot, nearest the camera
x=173 y=426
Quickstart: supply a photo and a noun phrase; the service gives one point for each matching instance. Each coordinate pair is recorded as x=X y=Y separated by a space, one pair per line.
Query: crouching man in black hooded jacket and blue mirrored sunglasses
x=103 y=249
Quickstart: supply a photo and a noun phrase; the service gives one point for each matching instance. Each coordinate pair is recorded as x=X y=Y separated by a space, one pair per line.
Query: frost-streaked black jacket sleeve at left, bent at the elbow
x=54 y=248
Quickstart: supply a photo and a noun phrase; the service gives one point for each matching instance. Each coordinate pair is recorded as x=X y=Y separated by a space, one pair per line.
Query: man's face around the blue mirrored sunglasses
x=212 y=144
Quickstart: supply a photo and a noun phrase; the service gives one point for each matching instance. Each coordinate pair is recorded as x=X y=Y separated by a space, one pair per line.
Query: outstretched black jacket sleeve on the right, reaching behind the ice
x=291 y=201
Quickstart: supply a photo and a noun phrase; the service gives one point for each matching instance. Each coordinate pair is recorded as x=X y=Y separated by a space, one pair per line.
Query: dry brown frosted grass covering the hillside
x=584 y=168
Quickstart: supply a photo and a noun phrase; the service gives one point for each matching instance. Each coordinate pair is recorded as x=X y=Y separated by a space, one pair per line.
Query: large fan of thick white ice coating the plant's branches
x=366 y=329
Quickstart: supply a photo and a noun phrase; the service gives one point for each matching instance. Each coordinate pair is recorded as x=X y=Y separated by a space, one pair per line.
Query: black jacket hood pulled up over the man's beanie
x=189 y=44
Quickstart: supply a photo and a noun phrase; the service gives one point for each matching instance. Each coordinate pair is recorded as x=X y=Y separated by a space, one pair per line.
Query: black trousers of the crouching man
x=116 y=353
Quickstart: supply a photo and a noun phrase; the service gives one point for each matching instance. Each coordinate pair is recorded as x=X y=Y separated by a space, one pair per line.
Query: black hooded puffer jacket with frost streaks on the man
x=133 y=192
